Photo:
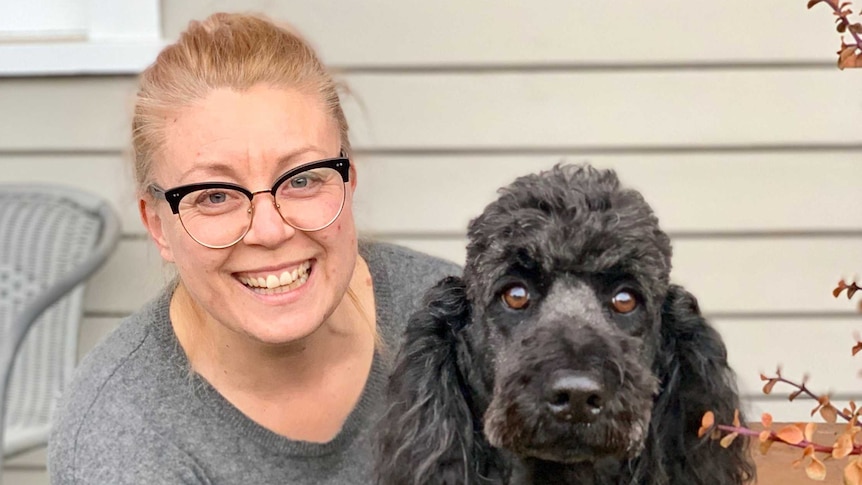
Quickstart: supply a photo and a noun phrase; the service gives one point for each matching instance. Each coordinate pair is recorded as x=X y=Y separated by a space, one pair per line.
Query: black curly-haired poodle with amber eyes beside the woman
x=563 y=355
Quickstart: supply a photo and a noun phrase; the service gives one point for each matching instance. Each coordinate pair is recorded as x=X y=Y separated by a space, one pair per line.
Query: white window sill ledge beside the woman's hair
x=77 y=58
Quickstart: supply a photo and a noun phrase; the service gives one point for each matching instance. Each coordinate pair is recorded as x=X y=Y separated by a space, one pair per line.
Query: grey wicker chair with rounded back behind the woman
x=52 y=238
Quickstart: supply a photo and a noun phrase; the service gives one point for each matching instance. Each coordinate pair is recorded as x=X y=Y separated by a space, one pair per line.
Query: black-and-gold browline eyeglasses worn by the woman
x=218 y=215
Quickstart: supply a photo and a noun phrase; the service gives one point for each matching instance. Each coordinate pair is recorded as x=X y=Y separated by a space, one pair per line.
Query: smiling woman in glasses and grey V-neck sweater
x=265 y=361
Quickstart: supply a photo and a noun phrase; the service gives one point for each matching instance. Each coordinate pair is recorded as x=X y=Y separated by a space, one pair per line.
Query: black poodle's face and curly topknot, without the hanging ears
x=566 y=275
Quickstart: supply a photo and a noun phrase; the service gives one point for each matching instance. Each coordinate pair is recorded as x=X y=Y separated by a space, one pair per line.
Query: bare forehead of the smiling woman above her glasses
x=243 y=129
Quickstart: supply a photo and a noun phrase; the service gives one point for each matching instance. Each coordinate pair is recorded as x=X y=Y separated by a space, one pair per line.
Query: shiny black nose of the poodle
x=574 y=397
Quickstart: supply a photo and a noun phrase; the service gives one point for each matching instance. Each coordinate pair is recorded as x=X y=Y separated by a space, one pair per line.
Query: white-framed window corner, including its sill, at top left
x=67 y=37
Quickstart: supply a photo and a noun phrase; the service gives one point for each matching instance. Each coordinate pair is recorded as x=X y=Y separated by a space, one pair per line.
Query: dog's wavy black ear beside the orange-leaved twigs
x=692 y=365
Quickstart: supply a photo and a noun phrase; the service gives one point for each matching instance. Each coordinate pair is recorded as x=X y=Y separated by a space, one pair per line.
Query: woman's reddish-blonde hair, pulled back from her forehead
x=225 y=50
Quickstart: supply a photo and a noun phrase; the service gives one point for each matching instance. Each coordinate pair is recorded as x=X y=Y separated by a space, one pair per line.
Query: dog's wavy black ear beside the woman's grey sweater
x=431 y=432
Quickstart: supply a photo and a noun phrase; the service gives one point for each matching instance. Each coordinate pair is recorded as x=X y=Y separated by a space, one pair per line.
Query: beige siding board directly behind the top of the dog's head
x=691 y=192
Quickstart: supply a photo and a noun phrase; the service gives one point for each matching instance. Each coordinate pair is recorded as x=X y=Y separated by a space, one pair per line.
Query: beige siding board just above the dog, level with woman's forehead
x=601 y=110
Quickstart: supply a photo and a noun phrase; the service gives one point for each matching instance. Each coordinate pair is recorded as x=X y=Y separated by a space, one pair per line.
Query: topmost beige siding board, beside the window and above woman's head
x=529 y=32
